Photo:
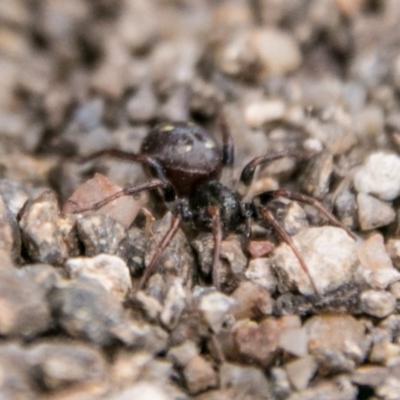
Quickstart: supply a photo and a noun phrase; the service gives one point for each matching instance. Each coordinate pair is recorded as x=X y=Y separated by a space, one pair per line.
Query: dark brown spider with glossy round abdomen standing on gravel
x=185 y=163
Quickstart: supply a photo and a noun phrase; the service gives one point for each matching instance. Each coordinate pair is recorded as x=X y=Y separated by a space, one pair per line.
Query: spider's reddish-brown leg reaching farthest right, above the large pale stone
x=267 y=196
